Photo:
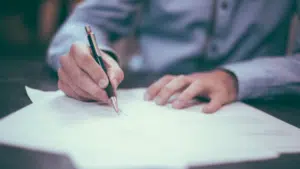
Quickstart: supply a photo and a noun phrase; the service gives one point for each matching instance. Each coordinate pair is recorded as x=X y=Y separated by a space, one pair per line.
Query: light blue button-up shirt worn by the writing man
x=247 y=37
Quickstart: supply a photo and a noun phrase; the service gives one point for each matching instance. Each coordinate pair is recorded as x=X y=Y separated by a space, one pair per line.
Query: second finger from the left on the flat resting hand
x=170 y=89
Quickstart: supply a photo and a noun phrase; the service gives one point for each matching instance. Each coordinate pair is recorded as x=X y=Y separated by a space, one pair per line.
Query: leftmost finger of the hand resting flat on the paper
x=154 y=89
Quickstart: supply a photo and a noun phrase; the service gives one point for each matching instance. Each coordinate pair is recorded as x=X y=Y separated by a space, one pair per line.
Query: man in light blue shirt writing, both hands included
x=227 y=49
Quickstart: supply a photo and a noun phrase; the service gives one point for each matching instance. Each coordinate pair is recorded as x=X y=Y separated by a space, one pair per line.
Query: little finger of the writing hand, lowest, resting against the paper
x=67 y=80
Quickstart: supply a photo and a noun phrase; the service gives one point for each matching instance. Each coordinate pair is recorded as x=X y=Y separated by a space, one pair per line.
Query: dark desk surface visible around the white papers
x=14 y=75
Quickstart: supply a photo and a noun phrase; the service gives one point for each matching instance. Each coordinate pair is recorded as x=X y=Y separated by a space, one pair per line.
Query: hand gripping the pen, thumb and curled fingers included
x=80 y=76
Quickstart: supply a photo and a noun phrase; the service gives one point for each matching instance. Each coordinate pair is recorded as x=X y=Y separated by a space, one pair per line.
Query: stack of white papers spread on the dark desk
x=145 y=135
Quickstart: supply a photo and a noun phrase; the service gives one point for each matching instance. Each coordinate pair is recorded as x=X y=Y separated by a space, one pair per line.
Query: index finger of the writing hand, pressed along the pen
x=81 y=54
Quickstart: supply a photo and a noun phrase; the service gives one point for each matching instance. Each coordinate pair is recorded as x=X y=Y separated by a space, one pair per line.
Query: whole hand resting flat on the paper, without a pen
x=219 y=86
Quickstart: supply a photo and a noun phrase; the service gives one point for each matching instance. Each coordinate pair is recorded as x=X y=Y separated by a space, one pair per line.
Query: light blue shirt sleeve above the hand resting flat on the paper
x=267 y=76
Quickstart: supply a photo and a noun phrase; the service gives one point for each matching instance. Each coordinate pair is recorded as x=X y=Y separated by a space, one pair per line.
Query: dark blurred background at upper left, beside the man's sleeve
x=28 y=25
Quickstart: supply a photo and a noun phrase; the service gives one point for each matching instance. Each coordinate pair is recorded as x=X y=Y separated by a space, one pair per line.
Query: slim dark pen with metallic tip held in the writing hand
x=97 y=56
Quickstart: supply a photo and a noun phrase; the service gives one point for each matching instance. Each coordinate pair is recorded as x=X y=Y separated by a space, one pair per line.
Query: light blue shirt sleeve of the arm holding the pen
x=109 y=20
